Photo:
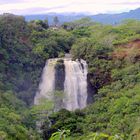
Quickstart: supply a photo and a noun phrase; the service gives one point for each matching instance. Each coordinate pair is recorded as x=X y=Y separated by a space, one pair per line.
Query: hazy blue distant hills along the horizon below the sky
x=102 y=18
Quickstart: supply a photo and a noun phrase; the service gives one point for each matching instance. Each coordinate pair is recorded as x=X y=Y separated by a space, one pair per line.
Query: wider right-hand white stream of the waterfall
x=75 y=86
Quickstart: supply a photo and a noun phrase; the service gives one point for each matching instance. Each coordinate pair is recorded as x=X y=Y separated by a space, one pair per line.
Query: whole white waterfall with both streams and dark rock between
x=71 y=79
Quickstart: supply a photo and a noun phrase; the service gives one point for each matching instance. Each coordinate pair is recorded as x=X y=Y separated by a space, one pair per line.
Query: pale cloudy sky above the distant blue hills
x=25 y=7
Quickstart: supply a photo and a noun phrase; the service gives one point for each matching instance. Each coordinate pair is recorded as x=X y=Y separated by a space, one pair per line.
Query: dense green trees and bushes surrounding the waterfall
x=113 y=57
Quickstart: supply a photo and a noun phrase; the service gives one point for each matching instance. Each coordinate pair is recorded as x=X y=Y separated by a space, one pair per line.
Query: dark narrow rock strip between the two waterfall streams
x=59 y=75
